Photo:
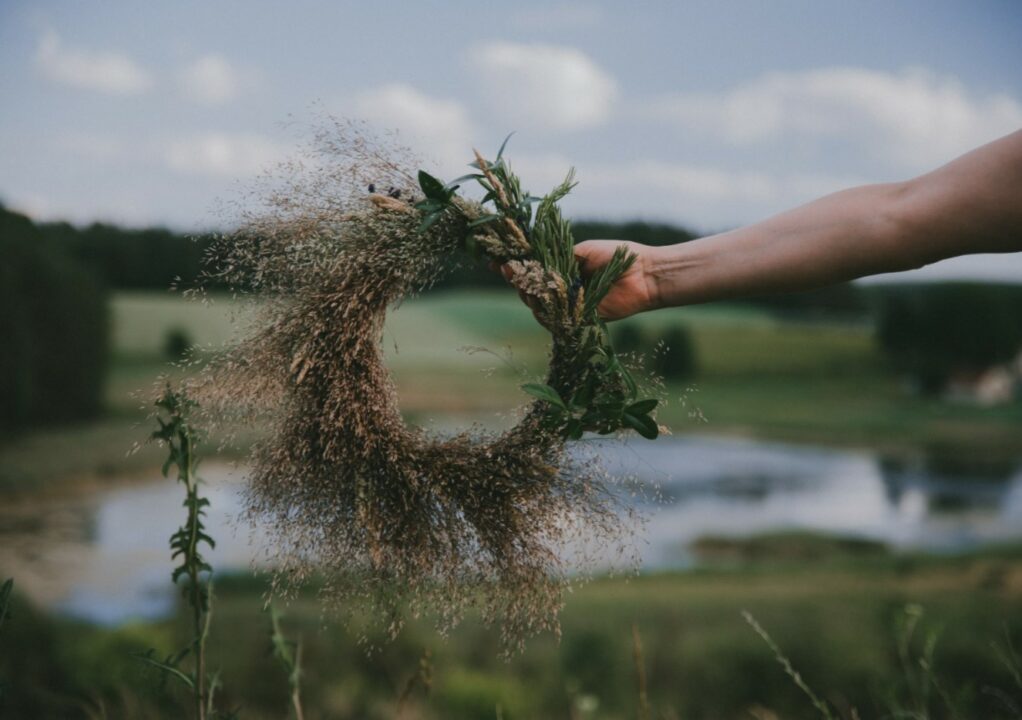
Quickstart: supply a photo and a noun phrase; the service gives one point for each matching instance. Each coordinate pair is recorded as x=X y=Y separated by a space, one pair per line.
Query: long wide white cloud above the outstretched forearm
x=915 y=118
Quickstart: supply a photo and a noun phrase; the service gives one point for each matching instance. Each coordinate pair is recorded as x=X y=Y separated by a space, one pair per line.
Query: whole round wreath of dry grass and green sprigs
x=398 y=519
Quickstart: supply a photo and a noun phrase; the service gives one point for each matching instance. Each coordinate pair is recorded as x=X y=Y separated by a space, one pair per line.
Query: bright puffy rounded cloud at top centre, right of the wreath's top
x=543 y=86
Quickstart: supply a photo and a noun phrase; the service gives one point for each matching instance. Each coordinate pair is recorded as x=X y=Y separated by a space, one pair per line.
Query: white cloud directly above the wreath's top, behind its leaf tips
x=441 y=130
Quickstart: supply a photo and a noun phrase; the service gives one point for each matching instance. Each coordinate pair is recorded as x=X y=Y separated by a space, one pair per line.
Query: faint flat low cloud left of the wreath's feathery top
x=224 y=155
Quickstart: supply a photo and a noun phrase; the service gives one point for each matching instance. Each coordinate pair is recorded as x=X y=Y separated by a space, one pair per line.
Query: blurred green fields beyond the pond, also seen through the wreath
x=461 y=357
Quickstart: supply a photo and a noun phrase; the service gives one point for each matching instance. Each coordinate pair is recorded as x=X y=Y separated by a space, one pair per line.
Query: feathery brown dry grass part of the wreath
x=401 y=521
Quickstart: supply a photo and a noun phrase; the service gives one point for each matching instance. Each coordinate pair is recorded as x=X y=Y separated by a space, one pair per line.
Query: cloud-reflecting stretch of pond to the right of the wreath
x=736 y=488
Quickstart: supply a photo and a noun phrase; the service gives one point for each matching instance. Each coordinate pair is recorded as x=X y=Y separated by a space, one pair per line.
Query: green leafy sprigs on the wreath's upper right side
x=588 y=388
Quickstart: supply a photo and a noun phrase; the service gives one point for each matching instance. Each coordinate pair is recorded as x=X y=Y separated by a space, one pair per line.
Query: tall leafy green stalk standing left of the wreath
x=194 y=574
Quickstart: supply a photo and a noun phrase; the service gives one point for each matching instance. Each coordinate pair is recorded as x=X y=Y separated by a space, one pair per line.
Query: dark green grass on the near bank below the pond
x=837 y=618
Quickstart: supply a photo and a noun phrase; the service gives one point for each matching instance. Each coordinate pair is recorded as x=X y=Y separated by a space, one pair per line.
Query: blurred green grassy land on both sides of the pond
x=842 y=613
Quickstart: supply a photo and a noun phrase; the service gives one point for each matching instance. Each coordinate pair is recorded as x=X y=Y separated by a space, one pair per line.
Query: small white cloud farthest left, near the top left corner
x=104 y=72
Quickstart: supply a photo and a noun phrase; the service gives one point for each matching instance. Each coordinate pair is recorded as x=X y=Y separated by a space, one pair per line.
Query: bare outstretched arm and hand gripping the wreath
x=972 y=205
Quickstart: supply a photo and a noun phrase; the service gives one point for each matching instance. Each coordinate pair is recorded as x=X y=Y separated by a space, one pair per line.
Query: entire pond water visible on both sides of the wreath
x=106 y=557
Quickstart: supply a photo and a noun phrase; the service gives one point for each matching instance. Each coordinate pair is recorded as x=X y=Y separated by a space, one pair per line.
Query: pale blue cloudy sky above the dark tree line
x=708 y=115
